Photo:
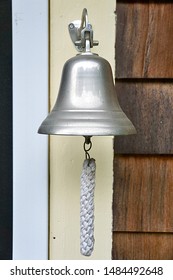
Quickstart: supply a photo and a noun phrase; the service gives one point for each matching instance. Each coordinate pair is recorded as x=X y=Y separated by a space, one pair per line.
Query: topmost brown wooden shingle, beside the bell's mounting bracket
x=144 y=39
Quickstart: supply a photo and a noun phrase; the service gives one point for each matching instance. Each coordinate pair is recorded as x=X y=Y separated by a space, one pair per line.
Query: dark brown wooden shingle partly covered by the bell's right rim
x=149 y=106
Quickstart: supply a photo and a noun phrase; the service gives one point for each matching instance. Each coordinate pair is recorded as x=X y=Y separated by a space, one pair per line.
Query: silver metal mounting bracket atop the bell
x=81 y=33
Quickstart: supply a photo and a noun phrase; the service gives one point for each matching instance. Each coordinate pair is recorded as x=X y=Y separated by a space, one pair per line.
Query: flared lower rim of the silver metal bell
x=87 y=123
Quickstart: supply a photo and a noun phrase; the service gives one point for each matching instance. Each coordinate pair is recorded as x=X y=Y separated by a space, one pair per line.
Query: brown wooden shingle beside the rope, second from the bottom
x=143 y=194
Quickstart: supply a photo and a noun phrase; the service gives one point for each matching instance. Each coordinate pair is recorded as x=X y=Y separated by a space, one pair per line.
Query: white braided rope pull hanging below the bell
x=87 y=207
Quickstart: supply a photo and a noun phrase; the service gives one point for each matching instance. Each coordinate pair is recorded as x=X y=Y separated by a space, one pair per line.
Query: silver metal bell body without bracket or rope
x=87 y=104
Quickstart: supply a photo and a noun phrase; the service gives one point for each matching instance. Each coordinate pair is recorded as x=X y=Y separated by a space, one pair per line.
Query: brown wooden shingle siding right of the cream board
x=143 y=163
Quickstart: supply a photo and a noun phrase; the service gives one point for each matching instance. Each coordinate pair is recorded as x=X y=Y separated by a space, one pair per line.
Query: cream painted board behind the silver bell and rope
x=66 y=153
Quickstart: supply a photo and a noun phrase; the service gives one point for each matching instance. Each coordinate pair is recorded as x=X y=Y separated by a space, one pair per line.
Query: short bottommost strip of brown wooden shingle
x=142 y=246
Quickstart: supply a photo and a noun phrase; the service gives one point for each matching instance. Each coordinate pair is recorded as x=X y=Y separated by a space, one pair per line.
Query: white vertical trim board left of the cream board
x=30 y=150
